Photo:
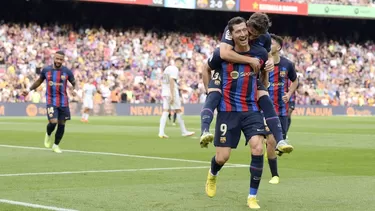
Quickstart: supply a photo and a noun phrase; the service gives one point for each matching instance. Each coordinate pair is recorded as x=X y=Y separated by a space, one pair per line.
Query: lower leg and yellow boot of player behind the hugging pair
x=272 y=159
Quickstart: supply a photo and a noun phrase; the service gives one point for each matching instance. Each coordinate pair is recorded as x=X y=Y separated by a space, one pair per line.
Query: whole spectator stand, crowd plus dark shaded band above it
x=336 y=66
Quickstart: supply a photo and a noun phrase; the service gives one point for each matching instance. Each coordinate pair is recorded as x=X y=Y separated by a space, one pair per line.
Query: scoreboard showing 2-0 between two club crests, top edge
x=223 y=5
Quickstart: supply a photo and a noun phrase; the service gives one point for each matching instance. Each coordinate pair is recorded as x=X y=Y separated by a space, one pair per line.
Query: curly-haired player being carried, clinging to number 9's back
x=258 y=25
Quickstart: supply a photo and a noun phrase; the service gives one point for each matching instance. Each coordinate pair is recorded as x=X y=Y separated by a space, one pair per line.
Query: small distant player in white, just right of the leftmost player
x=89 y=91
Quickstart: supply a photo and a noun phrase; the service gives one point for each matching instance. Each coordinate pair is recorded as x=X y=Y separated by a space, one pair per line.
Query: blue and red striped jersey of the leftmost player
x=57 y=81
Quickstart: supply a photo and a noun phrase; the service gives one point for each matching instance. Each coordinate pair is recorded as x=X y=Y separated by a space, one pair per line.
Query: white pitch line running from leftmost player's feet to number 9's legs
x=120 y=155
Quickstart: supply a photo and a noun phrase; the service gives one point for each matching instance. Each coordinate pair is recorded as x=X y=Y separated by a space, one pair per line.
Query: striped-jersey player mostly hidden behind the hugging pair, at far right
x=280 y=93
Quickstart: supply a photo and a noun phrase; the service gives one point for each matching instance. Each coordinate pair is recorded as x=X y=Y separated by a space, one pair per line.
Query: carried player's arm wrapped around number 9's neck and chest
x=228 y=54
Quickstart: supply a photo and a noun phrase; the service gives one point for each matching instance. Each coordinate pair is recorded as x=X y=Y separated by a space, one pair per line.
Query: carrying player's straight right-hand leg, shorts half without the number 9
x=253 y=127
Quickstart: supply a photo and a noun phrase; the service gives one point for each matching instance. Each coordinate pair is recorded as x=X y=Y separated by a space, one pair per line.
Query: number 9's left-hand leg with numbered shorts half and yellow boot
x=227 y=136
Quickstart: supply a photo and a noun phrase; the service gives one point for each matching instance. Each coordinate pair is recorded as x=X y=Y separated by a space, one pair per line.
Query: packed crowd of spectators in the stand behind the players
x=127 y=65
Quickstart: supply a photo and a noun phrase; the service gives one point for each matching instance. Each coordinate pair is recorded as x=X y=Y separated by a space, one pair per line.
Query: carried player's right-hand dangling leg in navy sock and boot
x=273 y=121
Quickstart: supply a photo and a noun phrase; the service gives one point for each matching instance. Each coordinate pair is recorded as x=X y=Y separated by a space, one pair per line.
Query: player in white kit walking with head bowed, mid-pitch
x=171 y=98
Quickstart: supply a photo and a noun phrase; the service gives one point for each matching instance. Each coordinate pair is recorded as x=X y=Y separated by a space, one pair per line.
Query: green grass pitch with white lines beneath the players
x=332 y=167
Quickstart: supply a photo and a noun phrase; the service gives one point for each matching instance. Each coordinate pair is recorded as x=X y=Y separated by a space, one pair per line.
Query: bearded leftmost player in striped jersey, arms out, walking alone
x=57 y=77
